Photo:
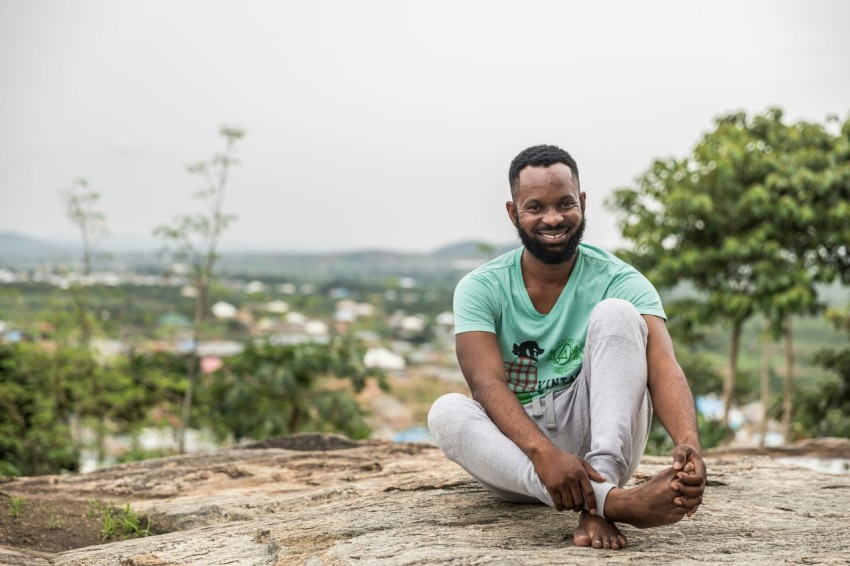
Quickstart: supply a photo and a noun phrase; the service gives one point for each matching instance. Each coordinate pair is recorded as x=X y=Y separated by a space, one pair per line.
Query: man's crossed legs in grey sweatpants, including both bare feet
x=604 y=418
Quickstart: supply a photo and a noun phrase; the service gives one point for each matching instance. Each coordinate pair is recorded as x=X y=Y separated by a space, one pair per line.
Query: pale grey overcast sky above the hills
x=381 y=124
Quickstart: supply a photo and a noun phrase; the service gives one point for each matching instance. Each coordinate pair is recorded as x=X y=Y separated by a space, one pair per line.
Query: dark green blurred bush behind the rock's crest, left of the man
x=270 y=390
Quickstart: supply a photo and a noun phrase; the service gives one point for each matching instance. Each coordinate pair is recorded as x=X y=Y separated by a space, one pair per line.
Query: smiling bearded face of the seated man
x=548 y=212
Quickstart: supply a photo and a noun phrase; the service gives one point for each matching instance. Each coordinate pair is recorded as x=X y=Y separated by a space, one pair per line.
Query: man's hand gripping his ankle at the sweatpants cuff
x=567 y=479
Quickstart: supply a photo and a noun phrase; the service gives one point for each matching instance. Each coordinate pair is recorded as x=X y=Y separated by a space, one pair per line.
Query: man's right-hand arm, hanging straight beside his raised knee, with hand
x=673 y=403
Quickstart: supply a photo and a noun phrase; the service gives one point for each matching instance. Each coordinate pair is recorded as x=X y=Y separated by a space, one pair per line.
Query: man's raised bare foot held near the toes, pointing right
x=651 y=504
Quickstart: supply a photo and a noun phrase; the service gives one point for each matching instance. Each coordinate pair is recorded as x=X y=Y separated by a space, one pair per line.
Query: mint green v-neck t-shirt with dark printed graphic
x=543 y=352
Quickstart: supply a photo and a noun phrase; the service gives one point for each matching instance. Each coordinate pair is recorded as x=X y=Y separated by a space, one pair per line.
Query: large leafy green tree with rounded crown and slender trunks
x=748 y=219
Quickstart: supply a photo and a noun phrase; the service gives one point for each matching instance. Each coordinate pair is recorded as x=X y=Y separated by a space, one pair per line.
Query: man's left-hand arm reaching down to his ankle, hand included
x=566 y=477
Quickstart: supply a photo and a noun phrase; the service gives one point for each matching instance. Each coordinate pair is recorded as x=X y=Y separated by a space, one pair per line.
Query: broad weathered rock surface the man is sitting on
x=325 y=500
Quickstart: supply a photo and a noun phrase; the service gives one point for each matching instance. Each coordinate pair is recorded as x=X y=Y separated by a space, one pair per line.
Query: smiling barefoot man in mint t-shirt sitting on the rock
x=566 y=353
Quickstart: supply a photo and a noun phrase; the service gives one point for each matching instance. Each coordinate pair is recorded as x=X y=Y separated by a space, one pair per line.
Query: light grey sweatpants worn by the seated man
x=603 y=417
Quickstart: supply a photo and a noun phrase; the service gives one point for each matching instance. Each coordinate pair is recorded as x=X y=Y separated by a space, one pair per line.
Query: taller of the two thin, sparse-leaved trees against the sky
x=194 y=239
